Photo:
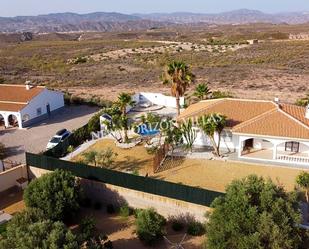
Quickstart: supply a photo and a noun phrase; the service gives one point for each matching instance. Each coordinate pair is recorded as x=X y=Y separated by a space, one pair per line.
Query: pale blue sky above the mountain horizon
x=35 y=7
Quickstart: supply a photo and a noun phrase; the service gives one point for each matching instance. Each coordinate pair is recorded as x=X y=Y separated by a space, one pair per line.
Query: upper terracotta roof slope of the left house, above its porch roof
x=18 y=93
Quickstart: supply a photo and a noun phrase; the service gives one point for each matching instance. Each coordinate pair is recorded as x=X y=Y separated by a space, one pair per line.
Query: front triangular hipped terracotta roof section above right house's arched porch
x=275 y=124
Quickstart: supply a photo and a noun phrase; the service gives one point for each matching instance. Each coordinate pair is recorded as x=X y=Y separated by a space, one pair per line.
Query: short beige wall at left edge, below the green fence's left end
x=8 y=178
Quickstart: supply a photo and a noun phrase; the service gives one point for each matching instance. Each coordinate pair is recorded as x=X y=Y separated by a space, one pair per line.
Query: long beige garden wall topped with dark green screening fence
x=115 y=187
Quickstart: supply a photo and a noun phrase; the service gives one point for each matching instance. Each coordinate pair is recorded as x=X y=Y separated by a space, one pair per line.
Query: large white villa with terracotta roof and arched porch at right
x=258 y=130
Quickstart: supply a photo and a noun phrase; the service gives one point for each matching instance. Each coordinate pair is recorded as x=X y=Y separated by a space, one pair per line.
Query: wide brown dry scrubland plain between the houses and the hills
x=275 y=67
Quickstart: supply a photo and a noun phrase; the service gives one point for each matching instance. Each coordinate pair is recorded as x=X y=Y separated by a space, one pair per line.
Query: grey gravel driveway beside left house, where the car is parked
x=35 y=138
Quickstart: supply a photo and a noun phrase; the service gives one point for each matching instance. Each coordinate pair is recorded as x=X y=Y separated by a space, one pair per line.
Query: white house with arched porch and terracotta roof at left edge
x=23 y=105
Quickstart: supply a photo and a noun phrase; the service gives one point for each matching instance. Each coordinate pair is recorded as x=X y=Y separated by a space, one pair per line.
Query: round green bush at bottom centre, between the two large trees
x=149 y=226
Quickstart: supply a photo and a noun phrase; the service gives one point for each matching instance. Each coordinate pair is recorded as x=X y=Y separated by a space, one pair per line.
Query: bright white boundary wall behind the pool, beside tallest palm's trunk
x=158 y=99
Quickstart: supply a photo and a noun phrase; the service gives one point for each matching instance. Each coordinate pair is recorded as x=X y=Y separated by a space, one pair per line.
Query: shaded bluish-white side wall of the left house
x=53 y=98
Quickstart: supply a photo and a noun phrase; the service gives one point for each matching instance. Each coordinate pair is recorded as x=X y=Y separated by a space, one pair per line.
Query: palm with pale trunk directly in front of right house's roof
x=212 y=124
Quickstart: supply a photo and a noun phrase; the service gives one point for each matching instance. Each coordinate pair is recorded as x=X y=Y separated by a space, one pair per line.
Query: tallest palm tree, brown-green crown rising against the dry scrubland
x=179 y=76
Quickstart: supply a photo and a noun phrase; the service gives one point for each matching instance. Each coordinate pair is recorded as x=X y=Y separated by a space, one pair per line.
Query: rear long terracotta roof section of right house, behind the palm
x=237 y=111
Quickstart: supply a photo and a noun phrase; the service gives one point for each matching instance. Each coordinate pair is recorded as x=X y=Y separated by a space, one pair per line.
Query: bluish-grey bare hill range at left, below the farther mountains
x=71 y=22
